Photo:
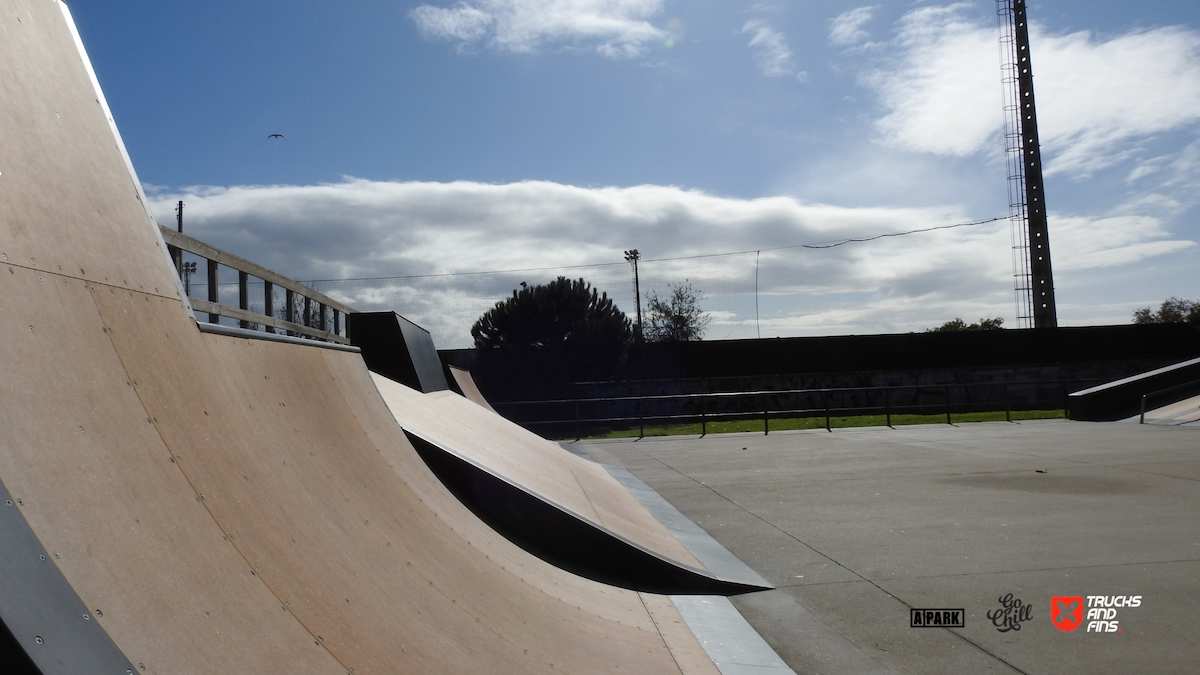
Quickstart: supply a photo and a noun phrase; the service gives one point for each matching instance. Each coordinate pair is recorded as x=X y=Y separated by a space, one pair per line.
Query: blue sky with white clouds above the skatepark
x=487 y=135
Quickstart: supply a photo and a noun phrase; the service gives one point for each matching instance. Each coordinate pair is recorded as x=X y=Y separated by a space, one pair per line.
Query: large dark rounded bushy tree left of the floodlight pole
x=559 y=332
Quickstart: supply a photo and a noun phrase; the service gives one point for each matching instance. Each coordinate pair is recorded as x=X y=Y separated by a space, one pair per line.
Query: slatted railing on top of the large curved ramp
x=305 y=313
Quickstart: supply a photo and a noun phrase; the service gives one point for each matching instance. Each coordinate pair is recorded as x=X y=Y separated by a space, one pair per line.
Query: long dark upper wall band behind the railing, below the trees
x=1085 y=354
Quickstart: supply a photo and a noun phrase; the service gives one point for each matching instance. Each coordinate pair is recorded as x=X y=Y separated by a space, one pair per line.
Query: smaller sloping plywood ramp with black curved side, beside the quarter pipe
x=554 y=504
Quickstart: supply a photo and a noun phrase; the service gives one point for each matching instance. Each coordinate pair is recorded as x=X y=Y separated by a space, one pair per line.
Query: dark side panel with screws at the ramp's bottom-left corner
x=49 y=623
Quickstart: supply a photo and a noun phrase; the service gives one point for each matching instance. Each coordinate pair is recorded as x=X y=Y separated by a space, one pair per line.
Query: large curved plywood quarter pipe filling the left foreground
x=224 y=505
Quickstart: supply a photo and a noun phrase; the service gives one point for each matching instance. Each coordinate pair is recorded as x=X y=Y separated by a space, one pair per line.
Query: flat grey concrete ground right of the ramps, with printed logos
x=857 y=527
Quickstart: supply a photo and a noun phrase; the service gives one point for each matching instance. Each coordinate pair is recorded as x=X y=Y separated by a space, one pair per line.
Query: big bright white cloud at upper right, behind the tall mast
x=1097 y=98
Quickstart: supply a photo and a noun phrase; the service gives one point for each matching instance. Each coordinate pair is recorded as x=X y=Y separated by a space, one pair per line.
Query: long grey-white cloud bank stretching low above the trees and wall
x=362 y=229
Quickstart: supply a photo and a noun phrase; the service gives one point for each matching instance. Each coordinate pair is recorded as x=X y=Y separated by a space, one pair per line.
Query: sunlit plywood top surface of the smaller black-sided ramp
x=536 y=464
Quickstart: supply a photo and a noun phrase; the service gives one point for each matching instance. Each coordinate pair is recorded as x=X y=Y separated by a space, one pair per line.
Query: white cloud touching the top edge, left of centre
x=614 y=28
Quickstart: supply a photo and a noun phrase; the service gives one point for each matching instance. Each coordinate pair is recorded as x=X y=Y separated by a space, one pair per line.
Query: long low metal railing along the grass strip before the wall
x=626 y=413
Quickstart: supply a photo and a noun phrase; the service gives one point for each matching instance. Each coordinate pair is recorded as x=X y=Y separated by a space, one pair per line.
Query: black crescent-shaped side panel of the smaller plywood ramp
x=565 y=539
